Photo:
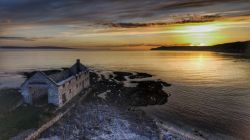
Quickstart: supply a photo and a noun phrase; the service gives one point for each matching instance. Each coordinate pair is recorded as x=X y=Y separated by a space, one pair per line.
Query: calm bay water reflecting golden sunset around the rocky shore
x=210 y=91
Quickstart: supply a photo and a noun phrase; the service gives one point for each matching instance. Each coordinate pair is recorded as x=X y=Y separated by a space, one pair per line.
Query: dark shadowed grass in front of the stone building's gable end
x=14 y=120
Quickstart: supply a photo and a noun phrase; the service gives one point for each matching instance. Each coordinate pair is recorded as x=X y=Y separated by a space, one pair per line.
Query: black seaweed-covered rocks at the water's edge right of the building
x=147 y=92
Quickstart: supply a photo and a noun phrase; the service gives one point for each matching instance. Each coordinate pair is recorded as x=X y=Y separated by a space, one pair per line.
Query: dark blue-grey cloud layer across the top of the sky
x=85 y=11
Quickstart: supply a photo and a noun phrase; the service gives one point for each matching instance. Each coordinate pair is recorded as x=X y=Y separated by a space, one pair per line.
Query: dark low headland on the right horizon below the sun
x=234 y=47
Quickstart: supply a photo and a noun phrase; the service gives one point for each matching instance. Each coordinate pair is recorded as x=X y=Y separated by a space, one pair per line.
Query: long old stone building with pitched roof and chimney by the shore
x=57 y=88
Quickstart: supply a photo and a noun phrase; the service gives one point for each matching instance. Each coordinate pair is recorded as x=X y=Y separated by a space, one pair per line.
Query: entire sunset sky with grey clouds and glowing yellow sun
x=123 y=24
